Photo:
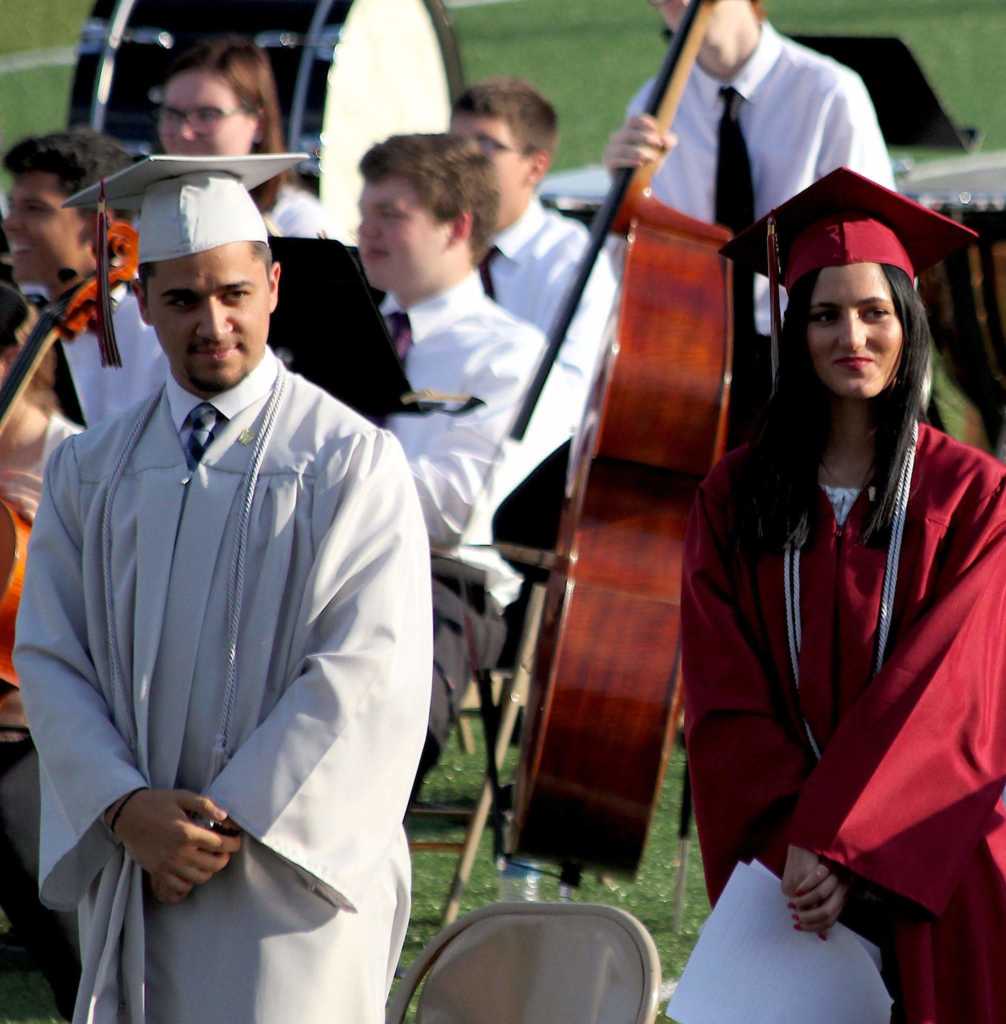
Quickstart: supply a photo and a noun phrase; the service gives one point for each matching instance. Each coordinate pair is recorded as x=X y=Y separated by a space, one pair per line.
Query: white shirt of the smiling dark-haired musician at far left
x=106 y=392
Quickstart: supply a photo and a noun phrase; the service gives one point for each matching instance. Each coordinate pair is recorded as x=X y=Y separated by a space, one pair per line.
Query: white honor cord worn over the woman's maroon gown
x=791 y=583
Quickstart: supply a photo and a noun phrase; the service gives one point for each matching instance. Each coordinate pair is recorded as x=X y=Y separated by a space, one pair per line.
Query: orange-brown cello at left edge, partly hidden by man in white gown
x=66 y=318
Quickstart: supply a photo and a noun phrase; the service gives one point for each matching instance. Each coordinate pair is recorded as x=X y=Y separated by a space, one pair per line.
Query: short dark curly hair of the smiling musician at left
x=78 y=157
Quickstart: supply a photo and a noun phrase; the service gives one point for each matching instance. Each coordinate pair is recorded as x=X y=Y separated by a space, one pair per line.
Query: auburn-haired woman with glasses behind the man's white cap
x=221 y=101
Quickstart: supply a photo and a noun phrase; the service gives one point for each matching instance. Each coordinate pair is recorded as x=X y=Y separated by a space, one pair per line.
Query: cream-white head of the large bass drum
x=388 y=77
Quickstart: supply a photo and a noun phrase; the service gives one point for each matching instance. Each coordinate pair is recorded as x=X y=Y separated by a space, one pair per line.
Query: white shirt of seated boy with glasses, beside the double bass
x=539 y=257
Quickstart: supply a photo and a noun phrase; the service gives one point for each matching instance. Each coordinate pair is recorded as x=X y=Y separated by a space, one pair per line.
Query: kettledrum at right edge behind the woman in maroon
x=967 y=294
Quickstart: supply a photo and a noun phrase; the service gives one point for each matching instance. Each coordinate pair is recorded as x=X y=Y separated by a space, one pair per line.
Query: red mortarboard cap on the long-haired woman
x=847 y=219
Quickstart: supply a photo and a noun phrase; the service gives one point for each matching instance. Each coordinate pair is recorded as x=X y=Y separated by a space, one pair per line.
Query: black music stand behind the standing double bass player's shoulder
x=909 y=111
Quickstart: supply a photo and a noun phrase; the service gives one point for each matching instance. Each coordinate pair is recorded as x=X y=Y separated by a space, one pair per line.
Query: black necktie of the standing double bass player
x=735 y=203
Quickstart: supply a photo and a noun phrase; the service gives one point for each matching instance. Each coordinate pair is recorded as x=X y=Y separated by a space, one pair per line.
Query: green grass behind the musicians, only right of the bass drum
x=591 y=56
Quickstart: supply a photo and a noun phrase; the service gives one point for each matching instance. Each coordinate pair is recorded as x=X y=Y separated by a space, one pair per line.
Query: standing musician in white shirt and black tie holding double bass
x=762 y=118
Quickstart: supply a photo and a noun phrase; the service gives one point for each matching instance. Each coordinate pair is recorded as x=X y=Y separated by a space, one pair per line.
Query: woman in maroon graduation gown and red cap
x=844 y=621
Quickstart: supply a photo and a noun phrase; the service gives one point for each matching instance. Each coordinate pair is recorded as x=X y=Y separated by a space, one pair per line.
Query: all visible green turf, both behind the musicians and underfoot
x=590 y=56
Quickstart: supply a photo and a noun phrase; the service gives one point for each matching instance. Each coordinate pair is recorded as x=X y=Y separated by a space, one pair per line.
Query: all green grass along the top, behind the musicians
x=590 y=56
